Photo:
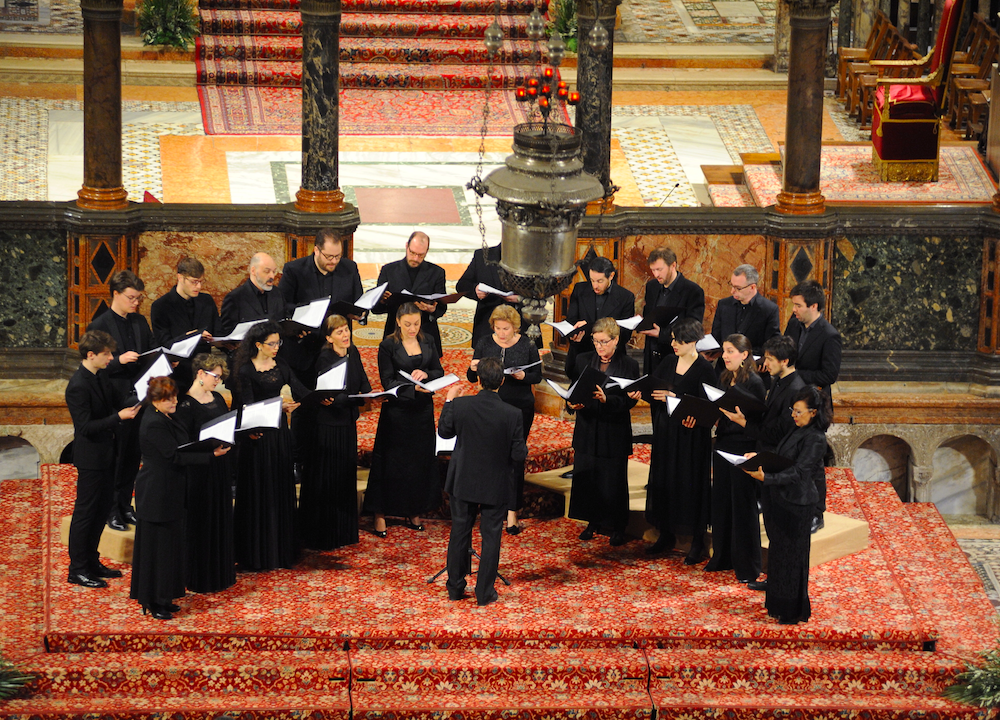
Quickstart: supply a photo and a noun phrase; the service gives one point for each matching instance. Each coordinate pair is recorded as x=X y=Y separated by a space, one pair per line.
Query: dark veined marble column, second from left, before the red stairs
x=320 y=191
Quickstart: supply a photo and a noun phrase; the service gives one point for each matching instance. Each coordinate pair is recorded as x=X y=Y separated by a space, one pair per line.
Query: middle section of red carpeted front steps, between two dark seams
x=608 y=682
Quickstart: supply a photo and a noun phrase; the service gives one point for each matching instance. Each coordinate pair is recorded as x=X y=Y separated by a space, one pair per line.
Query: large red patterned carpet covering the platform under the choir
x=584 y=631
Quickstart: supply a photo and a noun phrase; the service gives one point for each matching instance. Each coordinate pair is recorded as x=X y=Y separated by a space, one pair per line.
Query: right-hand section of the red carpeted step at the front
x=753 y=671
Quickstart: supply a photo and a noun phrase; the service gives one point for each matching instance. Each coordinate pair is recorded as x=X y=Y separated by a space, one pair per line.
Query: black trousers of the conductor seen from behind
x=463 y=517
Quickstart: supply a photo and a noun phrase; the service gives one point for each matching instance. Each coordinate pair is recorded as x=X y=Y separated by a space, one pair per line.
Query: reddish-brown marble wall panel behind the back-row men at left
x=225 y=256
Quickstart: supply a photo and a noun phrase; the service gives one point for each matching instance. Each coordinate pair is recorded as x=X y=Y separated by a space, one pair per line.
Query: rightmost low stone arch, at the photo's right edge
x=964 y=477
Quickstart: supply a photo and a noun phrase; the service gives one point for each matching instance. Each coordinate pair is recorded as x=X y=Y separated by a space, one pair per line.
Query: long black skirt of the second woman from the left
x=211 y=565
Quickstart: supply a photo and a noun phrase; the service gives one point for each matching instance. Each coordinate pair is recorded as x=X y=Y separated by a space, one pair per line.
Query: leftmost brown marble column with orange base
x=102 y=106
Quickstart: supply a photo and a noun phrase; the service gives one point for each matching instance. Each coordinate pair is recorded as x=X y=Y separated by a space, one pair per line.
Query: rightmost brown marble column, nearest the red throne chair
x=810 y=24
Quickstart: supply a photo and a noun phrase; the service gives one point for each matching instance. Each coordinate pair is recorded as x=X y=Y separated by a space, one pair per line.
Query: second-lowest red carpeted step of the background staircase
x=288 y=48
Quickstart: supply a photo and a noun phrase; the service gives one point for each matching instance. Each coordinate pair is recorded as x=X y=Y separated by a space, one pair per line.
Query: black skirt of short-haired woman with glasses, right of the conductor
x=600 y=491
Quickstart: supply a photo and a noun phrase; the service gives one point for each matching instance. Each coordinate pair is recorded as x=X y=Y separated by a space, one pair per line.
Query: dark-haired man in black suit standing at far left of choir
x=93 y=403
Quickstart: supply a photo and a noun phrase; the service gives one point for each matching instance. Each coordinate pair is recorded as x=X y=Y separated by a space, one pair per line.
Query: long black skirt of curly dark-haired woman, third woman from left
x=264 y=512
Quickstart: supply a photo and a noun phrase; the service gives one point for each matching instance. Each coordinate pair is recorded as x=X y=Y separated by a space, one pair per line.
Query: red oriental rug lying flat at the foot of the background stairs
x=238 y=110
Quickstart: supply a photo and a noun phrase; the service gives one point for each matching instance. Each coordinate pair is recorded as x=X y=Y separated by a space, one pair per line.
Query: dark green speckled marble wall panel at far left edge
x=33 y=277
